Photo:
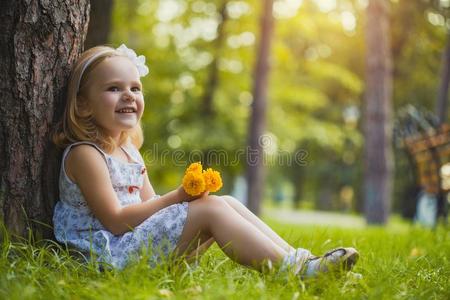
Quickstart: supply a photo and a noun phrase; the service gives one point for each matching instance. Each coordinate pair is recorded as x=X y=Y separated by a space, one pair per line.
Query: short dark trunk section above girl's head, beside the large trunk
x=99 y=24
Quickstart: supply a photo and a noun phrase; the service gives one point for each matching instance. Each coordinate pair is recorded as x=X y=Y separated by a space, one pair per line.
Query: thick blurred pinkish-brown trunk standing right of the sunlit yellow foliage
x=378 y=127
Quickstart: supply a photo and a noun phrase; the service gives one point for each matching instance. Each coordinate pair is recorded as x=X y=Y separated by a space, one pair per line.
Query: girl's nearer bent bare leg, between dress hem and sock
x=210 y=216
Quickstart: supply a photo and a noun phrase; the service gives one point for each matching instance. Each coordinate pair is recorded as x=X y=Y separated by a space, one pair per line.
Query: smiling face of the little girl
x=114 y=95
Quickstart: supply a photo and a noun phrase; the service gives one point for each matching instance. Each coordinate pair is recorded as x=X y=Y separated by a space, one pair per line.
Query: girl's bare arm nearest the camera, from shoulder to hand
x=86 y=166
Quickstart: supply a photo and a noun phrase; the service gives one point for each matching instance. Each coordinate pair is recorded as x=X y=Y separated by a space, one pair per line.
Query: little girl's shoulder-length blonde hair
x=78 y=123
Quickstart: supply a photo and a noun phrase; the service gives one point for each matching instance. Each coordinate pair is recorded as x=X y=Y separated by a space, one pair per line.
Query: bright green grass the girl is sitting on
x=396 y=263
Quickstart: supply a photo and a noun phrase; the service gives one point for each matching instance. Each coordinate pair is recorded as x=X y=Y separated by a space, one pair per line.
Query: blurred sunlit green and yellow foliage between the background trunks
x=199 y=92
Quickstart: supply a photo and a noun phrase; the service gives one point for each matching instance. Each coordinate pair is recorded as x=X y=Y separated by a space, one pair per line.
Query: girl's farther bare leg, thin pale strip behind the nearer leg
x=257 y=222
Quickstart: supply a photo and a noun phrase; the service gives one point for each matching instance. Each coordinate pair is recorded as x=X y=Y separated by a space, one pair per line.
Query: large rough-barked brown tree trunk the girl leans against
x=40 y=42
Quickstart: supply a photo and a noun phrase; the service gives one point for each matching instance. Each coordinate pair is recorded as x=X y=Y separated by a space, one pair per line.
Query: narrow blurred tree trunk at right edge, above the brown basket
x=442 y=100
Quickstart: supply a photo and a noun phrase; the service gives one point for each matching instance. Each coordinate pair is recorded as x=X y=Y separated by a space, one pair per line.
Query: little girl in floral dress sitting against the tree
x=109 y=208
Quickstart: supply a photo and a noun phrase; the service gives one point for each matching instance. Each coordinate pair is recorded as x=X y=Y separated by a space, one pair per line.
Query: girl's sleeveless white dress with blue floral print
x=76 y=226
